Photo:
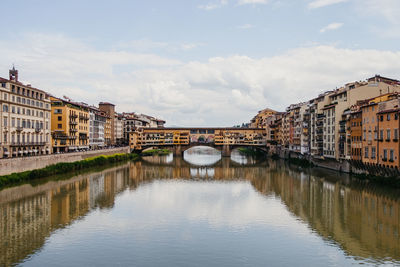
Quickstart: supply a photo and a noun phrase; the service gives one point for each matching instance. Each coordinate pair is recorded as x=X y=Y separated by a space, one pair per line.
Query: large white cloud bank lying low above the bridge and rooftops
x=220 y=91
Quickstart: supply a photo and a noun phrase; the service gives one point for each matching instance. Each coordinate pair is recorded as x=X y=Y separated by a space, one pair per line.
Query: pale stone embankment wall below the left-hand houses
x=11 y=165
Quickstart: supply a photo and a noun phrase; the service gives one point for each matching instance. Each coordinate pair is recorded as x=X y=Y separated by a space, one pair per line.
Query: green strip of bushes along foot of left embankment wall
x=65 y=167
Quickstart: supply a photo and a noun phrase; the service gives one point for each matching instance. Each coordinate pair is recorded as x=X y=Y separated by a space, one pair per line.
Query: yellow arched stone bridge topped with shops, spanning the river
x=181 y=139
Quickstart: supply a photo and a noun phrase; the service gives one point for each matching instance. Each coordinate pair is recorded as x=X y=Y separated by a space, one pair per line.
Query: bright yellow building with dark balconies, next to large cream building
x=69 y=125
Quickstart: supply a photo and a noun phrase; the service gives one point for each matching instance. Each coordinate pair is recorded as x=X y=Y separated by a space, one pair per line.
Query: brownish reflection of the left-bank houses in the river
x=28 y=215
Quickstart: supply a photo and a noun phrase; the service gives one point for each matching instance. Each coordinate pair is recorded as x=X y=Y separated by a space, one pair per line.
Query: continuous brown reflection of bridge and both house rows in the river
x=363 y=221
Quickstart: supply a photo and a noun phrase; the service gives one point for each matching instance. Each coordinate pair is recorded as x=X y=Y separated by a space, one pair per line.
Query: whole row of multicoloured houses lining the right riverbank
x=358 y=122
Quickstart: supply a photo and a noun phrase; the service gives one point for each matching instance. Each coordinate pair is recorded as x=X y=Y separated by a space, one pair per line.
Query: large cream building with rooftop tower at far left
x=25 y=119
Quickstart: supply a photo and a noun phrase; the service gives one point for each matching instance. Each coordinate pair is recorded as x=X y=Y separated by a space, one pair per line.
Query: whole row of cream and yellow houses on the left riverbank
x=33 y=122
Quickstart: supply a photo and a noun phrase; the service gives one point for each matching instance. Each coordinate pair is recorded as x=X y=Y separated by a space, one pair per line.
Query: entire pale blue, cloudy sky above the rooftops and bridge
x=198 y=62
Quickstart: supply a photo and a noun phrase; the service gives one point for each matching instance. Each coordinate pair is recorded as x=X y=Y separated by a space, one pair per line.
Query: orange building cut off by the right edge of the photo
x=389 y=137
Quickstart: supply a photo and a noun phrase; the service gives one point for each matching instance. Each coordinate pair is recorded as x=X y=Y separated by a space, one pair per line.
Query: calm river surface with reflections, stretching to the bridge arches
x=200 y=210
